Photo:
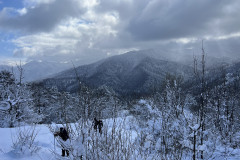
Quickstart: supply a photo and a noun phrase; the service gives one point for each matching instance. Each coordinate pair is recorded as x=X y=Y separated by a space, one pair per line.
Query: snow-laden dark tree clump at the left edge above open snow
x=16 y=106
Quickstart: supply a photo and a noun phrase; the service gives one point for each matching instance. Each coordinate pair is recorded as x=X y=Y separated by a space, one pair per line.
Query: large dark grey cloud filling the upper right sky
x=161 y=20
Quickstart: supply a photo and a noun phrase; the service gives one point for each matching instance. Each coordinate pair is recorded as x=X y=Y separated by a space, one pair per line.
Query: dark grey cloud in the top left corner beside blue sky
x=43 y=17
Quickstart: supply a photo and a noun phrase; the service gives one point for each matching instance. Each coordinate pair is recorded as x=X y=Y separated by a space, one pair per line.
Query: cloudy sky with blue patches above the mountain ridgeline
x=88 y=30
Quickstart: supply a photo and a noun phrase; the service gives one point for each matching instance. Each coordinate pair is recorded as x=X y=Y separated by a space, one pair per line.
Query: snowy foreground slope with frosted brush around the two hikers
x=122 y=138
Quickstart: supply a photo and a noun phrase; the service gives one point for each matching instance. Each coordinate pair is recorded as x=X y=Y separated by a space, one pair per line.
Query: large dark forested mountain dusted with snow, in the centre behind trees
x=130 y=73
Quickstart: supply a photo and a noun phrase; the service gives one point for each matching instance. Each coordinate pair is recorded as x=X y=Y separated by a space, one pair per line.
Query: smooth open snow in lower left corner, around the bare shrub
x=44 y=140
